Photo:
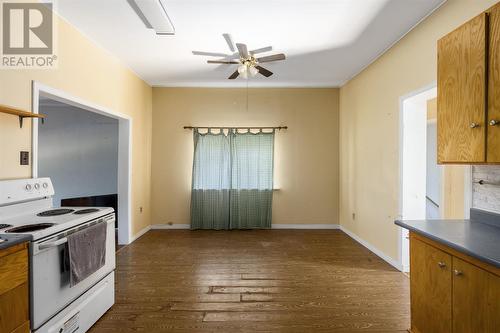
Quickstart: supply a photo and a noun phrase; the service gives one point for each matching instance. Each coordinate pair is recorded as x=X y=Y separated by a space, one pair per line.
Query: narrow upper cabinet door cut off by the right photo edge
x=493 y=120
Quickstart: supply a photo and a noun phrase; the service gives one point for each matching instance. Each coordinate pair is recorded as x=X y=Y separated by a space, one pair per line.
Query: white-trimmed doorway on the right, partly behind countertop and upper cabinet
x=427 y=190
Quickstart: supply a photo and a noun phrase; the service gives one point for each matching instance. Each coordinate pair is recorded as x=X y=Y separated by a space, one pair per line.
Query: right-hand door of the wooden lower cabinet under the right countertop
x=476 y=299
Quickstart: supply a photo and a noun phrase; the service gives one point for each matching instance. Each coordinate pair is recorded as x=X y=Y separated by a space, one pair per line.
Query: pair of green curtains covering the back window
x=232 y=180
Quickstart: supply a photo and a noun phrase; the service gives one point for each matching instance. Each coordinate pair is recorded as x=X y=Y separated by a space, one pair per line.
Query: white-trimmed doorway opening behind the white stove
x=92 y=166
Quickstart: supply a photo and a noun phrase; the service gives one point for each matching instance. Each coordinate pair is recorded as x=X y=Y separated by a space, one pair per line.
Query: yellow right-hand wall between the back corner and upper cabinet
x=369 y=125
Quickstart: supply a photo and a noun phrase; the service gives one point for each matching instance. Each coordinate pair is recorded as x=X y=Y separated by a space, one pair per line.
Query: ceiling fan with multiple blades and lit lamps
x=249 y=64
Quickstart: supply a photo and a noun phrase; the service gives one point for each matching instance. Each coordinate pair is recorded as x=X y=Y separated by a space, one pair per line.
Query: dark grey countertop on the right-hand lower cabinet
x=478 y=237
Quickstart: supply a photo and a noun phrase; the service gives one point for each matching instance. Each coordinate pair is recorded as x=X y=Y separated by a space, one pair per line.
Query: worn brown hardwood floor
x=254 y=281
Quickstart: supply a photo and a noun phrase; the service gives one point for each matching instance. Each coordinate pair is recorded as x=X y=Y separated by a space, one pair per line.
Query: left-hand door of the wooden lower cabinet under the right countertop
x=430 y=281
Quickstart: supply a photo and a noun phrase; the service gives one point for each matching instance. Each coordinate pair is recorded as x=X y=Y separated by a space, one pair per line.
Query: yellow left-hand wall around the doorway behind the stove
x=92 y=74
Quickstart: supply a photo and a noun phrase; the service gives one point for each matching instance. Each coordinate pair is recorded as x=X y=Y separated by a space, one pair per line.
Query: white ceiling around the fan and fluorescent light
x=326 y=41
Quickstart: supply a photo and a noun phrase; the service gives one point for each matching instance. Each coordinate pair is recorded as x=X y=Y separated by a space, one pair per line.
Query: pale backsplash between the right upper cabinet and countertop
x=486 y=197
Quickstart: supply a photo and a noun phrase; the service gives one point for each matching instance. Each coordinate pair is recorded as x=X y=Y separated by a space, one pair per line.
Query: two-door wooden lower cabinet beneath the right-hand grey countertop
x=451 y=291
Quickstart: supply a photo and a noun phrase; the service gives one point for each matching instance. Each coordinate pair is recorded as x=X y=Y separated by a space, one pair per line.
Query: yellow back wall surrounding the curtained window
x=306 y=166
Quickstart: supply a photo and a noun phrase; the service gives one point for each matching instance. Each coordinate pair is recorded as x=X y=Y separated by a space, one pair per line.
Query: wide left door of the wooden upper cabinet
x=461 y=97
